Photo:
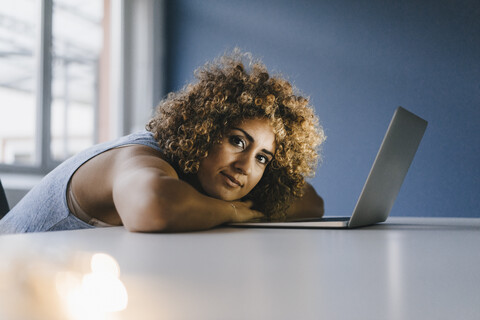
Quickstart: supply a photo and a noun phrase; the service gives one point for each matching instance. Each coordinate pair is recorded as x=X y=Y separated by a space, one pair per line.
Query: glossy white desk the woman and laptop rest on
x=407 y=268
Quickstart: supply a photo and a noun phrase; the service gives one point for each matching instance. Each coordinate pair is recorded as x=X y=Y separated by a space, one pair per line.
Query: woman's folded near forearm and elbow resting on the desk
x=149 y=197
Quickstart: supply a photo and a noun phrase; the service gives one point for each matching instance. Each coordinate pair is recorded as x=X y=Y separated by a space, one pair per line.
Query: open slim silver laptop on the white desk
x=383 y=183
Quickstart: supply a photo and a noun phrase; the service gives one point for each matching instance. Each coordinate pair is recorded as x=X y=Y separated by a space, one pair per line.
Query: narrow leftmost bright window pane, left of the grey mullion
x=17 y=82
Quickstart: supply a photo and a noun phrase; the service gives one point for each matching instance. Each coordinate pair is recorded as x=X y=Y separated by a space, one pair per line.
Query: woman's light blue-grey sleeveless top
x=44 y=207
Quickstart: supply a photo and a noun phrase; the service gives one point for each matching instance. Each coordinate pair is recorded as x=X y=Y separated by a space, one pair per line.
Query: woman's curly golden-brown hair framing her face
x=233 y=88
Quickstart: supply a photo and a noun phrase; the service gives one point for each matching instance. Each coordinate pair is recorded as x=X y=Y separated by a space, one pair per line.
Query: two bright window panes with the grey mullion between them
x=52 y=57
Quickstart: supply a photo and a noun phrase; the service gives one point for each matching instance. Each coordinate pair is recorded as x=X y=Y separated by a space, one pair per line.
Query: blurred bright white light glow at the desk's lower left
x=93 y=295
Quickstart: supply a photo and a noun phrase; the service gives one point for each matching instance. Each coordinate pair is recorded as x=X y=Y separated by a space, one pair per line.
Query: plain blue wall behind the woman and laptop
x=358 y=62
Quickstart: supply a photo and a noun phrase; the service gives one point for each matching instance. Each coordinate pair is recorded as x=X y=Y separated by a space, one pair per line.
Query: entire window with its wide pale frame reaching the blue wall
x=74 y=73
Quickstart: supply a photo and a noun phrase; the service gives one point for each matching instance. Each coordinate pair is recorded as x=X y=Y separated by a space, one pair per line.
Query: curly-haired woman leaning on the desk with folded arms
x=235 y=145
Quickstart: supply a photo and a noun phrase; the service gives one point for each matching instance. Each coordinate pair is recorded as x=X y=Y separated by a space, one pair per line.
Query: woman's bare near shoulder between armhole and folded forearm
x=132 y=167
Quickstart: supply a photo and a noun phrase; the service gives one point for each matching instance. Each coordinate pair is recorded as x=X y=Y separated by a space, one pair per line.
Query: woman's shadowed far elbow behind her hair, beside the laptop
x=309 y=206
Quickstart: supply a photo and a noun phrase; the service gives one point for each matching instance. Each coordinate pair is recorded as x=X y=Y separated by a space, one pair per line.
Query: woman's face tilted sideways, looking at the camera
x=235 y=166
